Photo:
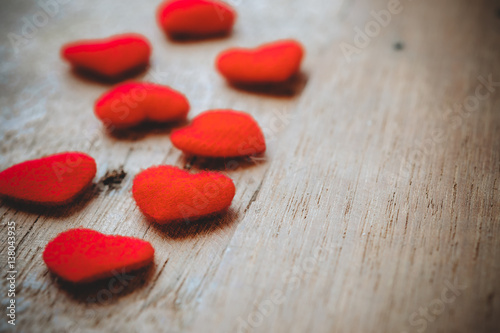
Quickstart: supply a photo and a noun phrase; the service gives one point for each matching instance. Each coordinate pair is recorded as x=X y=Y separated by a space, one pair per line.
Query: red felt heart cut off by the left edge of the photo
x=51 y=180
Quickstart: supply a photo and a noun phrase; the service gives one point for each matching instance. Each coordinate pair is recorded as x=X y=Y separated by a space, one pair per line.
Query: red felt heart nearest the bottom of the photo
x=84 y=255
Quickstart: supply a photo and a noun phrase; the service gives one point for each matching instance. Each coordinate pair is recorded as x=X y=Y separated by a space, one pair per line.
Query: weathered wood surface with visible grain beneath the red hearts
x=376 y=193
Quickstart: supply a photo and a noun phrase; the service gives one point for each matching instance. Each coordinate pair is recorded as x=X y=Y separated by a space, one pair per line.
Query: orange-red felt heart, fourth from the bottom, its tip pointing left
x=220 y=133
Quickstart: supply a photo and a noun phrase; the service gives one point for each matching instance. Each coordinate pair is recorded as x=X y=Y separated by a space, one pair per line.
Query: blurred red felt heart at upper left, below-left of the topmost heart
x=109 y=57
